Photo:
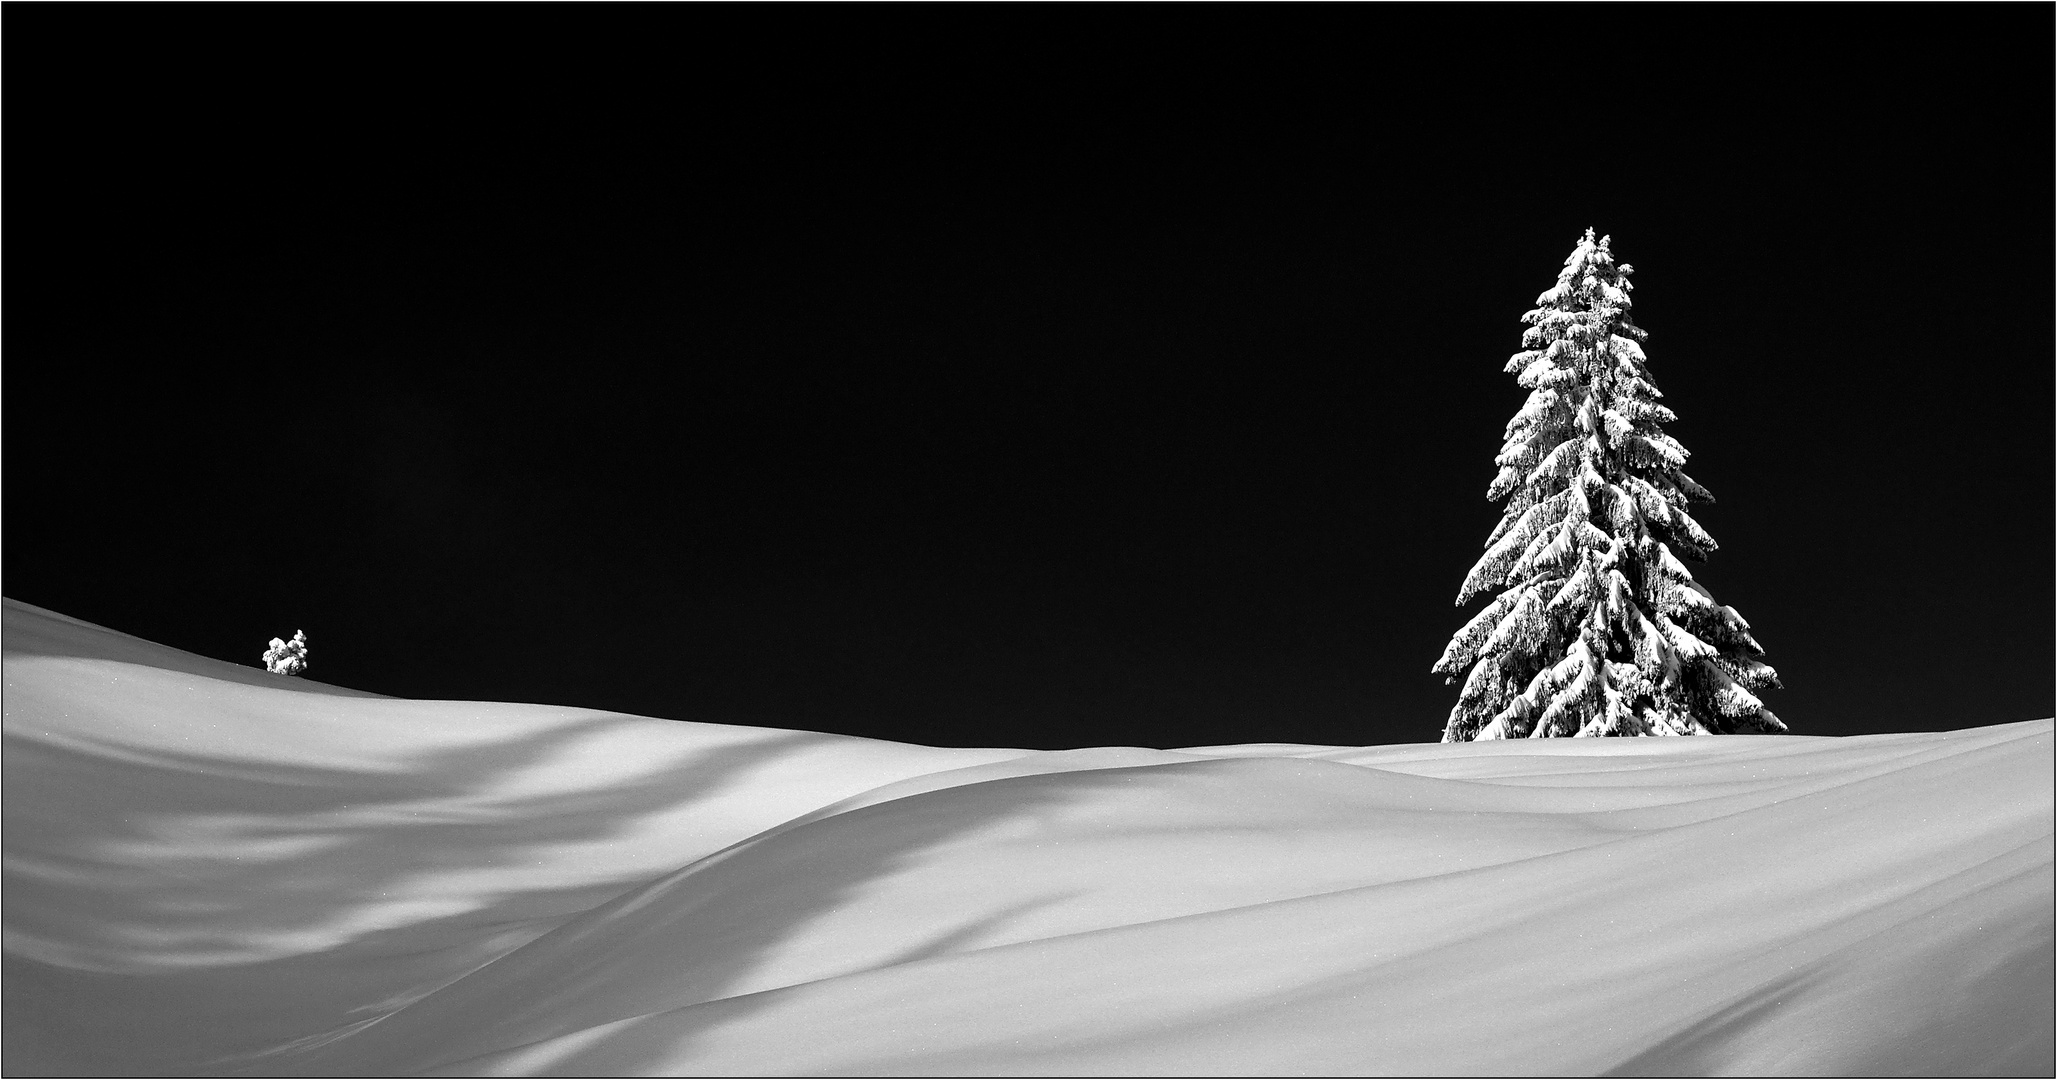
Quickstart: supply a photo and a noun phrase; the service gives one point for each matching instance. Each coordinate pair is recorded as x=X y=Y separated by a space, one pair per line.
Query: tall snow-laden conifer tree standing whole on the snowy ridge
x=1597 y=626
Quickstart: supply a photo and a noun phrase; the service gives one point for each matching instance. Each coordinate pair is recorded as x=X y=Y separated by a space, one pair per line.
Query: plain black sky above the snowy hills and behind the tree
x=1132 y=392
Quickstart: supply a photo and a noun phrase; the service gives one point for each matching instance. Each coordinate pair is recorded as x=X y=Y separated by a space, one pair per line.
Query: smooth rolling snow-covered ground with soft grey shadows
x=219 y=871
